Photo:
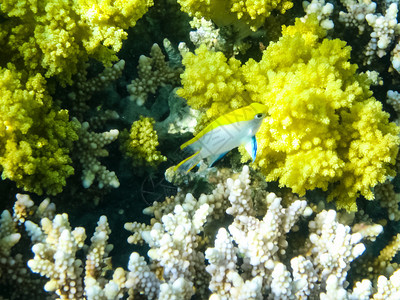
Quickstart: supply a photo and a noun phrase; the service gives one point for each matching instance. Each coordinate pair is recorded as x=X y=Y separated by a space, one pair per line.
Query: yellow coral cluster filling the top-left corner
x=54 y=37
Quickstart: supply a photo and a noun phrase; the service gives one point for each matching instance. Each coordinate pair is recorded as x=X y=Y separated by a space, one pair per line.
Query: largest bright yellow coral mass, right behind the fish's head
x=324 y=130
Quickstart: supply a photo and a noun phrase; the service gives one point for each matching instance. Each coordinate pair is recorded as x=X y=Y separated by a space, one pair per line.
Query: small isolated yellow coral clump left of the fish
x=141 y=142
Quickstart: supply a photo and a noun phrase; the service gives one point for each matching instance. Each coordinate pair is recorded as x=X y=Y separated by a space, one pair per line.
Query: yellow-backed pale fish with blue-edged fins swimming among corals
x=229 y=131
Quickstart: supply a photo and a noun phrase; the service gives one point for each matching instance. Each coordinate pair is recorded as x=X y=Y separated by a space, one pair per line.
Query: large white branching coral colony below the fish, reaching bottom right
x=317 y=269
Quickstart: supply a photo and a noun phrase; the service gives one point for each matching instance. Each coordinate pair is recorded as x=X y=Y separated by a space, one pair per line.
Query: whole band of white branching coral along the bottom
x=250 y=258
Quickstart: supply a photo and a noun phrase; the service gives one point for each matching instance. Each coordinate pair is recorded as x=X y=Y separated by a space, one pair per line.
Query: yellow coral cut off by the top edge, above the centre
x=235 y=12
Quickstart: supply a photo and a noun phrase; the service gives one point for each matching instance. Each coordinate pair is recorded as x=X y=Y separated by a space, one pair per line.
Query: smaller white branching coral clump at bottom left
x=56 y=258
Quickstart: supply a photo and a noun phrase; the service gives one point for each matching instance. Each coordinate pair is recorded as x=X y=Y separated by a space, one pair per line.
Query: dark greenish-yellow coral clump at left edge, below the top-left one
x=35 y=138
